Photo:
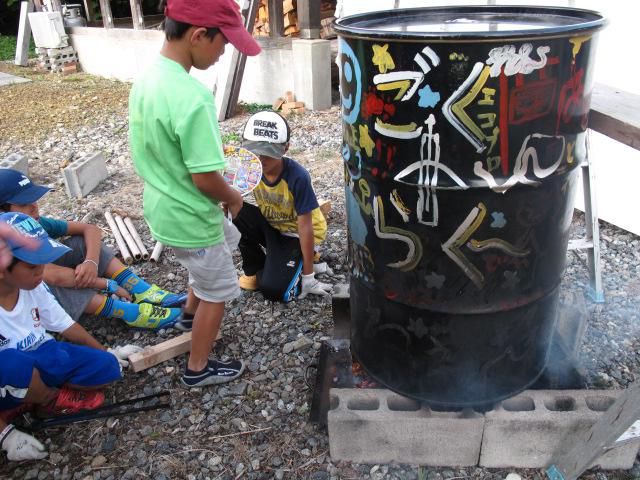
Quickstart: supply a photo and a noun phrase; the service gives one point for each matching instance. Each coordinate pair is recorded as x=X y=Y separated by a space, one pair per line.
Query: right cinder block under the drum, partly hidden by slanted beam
x=525 y=431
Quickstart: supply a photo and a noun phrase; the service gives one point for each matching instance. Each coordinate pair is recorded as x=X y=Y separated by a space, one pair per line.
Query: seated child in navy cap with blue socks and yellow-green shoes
x=90 y=266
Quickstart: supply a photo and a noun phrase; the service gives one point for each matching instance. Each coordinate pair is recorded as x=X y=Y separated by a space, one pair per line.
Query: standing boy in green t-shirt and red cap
x=177 y=149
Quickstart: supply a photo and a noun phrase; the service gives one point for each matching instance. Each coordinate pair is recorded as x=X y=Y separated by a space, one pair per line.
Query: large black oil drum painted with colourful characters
x=463 y=132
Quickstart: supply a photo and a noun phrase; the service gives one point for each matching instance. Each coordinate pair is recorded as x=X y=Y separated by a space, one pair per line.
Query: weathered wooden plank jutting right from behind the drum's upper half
x=616 y=114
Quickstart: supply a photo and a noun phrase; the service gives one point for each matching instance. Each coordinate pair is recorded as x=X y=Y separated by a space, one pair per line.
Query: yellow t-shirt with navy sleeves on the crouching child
x=289 y=196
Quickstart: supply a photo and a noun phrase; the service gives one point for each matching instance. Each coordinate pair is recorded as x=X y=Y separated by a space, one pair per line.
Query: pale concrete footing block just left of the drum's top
x=311 y=64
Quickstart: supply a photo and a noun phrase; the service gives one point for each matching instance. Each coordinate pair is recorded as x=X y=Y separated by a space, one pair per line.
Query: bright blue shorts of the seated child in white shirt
x=58 y=363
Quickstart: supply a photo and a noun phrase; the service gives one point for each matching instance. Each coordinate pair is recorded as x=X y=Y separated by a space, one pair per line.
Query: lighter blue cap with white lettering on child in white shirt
x=48 y=249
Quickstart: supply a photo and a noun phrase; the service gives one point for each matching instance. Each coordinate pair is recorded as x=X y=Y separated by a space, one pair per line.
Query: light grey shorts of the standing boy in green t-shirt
x=212 y=275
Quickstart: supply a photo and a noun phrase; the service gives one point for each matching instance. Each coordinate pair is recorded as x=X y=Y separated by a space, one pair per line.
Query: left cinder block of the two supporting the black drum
x=379 y=426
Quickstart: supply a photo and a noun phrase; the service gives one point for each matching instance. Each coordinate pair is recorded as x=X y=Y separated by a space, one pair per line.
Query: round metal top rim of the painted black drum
x=586 y=20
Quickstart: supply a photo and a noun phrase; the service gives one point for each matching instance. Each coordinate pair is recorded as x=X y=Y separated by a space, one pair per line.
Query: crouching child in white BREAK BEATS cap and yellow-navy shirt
x=287 y=221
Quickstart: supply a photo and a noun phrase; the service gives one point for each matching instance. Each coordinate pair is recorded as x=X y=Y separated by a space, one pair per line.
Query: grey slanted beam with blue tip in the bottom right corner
x=599 y=438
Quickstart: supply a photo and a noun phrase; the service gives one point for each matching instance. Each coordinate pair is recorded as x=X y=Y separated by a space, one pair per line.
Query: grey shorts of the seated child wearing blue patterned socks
x=74 y=301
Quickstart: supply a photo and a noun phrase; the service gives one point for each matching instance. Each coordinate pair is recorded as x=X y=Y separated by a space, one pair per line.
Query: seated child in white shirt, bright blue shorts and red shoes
x=54 y=377
